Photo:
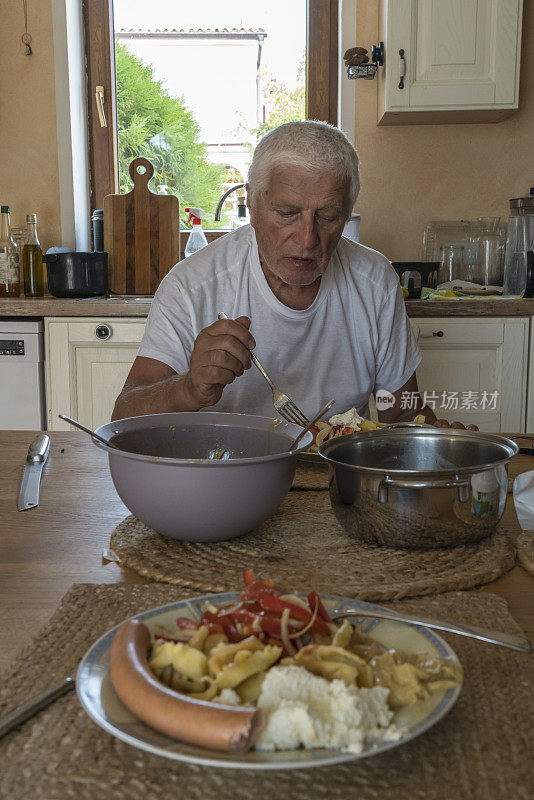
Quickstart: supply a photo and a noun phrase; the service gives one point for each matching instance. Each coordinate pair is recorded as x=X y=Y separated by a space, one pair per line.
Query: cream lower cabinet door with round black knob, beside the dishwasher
x=87 y=361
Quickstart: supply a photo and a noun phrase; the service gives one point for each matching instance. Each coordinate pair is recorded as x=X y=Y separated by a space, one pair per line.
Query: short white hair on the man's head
x=312 y=145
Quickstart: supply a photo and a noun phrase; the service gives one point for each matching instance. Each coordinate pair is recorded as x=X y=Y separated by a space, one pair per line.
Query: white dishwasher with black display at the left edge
x=22 y=386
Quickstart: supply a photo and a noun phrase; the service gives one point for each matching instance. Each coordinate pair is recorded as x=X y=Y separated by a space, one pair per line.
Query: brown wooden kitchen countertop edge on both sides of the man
x=121 y=306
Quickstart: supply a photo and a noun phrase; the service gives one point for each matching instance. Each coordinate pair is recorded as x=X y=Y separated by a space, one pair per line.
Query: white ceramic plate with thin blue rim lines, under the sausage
x=98 y=698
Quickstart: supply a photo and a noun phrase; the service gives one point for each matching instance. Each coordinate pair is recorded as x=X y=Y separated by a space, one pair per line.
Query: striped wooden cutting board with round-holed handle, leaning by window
x=141 y=234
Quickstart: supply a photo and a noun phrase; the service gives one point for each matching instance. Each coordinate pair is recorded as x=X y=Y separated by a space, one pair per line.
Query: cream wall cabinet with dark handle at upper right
x=449 y=60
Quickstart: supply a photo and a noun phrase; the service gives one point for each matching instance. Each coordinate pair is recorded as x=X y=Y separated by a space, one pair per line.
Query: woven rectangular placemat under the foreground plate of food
x=481 y=750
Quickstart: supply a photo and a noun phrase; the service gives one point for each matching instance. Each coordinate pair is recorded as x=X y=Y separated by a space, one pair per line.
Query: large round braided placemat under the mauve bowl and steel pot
x=304 y=546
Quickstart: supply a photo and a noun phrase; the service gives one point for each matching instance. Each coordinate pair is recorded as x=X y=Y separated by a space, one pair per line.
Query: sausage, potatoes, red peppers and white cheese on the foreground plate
x=271 y=671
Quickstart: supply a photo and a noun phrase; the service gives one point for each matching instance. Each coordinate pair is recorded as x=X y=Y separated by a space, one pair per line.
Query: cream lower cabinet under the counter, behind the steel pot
x=476 y=370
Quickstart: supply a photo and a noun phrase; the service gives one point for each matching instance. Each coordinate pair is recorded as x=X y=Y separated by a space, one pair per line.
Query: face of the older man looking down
x=298 y=221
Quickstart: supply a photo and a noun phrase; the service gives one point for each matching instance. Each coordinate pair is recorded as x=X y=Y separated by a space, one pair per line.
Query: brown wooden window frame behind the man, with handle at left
x=321 y=96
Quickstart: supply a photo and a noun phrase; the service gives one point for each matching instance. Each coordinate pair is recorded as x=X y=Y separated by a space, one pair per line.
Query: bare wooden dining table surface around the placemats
x=44 y=550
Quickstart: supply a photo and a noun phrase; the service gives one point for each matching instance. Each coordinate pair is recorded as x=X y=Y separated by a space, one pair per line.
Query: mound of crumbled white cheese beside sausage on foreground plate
x=306 y=710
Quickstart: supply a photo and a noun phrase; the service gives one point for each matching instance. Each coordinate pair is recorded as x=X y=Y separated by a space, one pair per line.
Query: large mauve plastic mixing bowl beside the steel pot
x=164 y=475
